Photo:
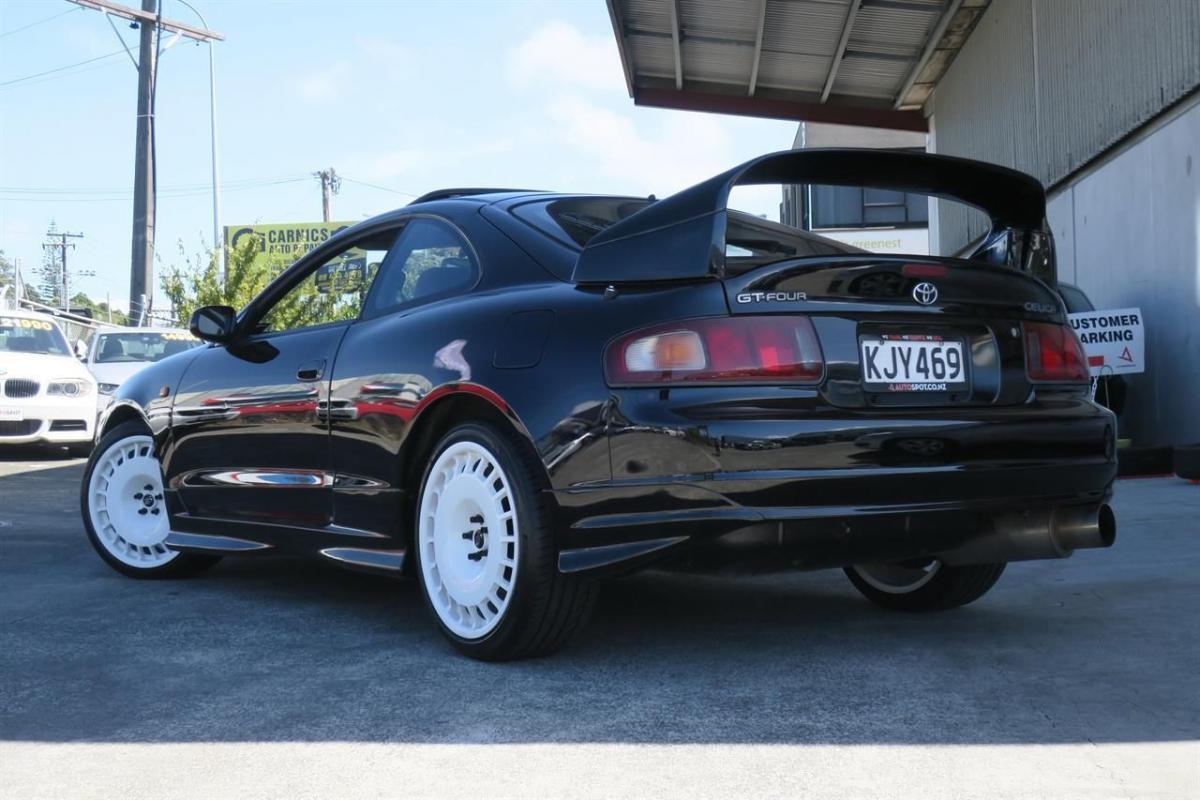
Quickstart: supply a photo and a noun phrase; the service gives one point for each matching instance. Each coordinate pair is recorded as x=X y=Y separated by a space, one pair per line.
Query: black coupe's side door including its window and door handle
x=251 y=419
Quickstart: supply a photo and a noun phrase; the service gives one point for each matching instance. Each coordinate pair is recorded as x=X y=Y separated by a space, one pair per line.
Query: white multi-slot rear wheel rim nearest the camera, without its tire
x=469 y=539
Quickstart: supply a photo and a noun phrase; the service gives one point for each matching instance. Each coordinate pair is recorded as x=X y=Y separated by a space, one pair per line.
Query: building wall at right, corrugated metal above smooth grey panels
x=1049 y=86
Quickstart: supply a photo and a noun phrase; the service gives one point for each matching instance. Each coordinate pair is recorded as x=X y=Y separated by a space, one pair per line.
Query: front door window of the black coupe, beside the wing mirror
x=334 y=292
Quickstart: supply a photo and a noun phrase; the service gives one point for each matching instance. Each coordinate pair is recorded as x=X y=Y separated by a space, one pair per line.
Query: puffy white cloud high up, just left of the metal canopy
x=557 y=53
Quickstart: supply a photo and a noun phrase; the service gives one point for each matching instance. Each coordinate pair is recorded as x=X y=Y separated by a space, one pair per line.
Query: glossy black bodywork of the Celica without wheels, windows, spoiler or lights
x=257 y=456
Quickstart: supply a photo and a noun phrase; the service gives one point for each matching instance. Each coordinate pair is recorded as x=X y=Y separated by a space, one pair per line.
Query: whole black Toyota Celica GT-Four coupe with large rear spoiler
x=508 y=394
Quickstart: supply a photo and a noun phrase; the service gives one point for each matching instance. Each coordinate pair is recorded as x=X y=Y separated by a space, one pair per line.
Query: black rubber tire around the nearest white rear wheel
x=547 y=607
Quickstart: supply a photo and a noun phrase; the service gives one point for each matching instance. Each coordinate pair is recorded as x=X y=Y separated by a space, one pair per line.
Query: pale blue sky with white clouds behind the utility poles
x=410 y=97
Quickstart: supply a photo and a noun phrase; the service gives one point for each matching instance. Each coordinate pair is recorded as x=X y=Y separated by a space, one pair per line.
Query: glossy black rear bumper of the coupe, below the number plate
x=826 y=492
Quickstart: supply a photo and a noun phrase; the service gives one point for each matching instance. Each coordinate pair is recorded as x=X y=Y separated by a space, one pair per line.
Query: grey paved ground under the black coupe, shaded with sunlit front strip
x=285 y=678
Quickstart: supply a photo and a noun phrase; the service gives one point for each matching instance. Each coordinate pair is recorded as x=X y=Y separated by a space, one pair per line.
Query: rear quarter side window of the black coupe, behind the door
x=430 y=261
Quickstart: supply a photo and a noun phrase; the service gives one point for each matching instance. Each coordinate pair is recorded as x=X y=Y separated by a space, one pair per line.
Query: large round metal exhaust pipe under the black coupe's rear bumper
x=1033 y=536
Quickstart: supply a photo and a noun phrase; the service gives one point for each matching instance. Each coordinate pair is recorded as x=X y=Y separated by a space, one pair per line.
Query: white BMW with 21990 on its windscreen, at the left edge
x=46 y=395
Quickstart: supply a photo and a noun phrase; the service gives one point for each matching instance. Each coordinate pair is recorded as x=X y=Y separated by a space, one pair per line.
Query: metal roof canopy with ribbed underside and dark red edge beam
x=871 y=63
